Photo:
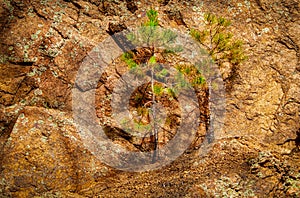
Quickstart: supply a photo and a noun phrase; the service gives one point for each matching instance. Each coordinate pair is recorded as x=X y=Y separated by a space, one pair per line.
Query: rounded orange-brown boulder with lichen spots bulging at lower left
x=43 y=153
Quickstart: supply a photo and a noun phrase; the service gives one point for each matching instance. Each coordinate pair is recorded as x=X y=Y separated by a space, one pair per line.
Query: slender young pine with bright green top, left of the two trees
x=153 y=36
